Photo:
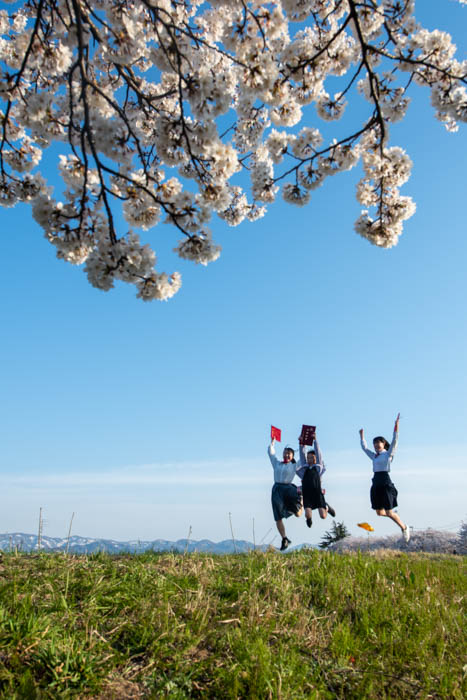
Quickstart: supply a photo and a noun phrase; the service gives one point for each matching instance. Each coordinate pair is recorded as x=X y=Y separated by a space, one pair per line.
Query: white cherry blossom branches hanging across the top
x=174 y=110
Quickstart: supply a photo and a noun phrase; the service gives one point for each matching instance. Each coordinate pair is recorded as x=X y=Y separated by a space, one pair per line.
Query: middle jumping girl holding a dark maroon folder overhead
x=310 y=472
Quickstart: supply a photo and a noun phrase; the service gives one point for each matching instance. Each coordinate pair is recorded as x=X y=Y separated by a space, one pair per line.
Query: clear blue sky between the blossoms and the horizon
x=148 y=419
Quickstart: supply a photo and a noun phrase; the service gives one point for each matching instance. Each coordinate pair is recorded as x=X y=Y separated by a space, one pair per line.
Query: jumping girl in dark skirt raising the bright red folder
x=285 y=498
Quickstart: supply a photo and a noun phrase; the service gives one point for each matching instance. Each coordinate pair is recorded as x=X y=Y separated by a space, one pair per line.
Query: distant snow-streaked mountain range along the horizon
x=22 y=542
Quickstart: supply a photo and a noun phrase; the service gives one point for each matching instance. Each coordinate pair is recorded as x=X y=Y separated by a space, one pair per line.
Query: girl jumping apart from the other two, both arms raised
x=383 y=493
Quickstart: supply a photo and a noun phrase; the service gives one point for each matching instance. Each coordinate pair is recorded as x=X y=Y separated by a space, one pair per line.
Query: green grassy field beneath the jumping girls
x=305 y=625
